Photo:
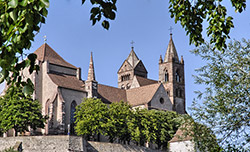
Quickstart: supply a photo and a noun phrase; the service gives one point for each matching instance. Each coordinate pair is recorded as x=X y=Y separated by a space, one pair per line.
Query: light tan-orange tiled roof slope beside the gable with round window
x=141 y=95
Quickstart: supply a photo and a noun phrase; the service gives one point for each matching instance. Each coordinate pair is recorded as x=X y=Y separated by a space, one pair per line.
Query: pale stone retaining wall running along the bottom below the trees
x=66 y=144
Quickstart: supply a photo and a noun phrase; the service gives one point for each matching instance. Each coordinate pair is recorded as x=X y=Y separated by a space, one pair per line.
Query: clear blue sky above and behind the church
x=71 y=34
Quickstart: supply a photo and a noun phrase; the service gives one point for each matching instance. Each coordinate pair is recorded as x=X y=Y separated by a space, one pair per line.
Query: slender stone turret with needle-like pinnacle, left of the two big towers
x=91 y=83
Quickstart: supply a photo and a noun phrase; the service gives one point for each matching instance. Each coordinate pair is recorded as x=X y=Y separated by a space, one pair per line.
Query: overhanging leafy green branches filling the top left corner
x=19 y=20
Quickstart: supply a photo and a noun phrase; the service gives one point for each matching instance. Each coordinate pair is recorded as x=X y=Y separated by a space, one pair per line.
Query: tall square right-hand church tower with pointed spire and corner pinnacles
x=171 y=74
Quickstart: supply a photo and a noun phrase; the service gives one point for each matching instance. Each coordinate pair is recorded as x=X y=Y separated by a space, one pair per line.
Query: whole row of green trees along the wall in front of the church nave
x=119 y=122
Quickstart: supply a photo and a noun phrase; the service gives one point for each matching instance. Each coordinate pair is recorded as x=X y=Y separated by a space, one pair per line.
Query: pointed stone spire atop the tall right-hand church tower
x=171 y=51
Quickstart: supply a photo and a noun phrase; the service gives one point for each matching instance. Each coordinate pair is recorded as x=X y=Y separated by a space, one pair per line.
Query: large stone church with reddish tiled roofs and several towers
x=59 y=87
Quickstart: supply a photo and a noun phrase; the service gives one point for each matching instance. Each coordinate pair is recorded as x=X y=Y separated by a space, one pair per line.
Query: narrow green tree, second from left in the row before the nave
x=119 y=113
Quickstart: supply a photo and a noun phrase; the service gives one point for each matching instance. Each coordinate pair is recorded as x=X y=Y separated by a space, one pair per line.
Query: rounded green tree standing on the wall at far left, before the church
x=19 y=112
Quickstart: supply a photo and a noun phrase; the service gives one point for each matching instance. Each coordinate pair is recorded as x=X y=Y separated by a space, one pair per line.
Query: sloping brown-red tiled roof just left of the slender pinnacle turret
x=67 y=81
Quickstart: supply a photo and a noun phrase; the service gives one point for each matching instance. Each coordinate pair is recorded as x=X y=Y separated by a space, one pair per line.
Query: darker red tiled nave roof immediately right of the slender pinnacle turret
x=111 y=94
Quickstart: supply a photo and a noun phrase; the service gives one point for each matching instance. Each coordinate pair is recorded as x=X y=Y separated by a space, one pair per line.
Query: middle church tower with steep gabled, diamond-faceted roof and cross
x=131 y=66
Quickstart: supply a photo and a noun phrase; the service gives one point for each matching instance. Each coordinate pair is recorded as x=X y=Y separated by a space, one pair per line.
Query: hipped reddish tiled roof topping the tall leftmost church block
x=45 y=52
